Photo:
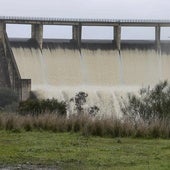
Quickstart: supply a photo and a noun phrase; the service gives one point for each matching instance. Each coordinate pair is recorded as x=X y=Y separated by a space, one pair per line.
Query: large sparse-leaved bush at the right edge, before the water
x=149 y=104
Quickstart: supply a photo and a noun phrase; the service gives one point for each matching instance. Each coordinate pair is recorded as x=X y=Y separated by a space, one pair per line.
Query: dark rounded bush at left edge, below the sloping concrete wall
x=7 y=97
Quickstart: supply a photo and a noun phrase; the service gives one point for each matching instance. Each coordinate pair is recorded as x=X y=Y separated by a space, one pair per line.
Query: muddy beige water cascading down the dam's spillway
x=105 y=75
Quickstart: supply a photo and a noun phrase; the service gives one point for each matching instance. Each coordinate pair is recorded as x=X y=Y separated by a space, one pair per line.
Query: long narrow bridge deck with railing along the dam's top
x=84 y=22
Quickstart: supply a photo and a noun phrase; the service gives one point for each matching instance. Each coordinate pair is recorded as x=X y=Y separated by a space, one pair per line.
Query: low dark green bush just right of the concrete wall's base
x=36 y=107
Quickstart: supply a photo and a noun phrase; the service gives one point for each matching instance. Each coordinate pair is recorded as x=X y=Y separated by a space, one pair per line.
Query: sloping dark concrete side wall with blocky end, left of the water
x=9 y=73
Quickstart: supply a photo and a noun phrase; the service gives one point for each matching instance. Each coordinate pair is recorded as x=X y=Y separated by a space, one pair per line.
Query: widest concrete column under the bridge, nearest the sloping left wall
x=37 y=33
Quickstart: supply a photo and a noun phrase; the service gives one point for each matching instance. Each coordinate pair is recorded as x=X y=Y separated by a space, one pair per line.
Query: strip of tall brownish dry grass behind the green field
x=113 y=127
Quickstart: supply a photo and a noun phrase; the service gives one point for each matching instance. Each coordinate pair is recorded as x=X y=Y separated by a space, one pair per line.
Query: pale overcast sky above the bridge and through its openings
x=111 y=9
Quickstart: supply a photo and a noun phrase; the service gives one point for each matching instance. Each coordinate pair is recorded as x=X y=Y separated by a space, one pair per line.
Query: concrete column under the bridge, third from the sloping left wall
x=117 y=36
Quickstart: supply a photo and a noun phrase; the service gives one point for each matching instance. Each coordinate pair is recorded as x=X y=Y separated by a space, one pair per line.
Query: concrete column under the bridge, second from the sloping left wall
x=76 y=35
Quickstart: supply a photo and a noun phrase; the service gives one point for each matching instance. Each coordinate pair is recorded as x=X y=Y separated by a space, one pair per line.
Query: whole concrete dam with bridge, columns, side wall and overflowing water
x=105 y=69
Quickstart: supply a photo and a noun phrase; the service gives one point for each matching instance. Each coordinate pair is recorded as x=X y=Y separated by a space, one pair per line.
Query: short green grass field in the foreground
x=73 y=151
